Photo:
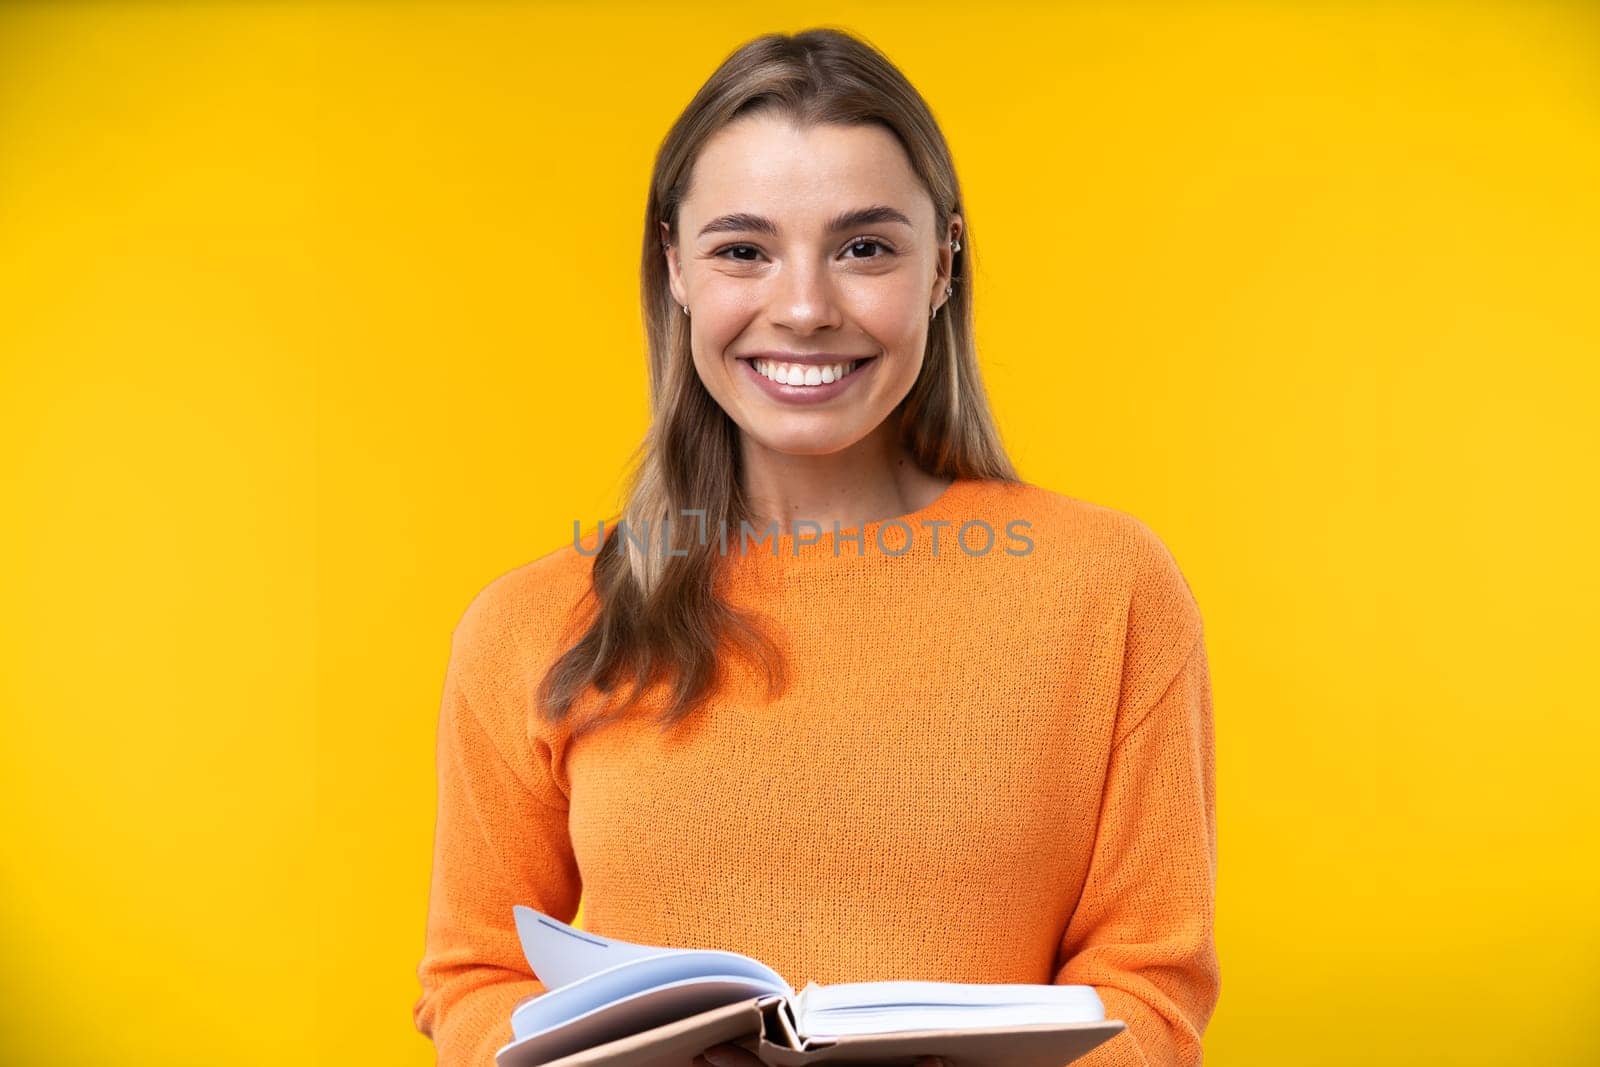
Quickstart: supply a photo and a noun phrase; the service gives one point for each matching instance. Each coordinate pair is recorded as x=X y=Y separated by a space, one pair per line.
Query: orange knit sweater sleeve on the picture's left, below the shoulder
x=500 y=839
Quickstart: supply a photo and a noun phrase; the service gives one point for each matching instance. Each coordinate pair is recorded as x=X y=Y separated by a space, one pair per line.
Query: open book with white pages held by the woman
x=614 y=1002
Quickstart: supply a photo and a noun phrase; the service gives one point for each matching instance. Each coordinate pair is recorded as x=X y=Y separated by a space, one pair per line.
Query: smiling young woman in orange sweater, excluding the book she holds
x=846 y=695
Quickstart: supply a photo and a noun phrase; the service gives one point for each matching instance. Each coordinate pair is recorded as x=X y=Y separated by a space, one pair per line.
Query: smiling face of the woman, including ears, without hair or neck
x=802 y=250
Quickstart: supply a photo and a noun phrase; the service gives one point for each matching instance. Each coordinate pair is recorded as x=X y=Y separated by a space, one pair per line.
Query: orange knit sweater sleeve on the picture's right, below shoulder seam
x=1143 y=929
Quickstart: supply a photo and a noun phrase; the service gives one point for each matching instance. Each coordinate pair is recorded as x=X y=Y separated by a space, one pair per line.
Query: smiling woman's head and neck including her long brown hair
x=812 y=350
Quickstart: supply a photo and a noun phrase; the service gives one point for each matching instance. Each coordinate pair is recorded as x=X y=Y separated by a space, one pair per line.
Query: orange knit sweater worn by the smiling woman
x=991 y=767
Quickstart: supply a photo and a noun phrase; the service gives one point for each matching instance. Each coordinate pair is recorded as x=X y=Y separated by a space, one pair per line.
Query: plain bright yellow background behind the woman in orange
x=318 y=318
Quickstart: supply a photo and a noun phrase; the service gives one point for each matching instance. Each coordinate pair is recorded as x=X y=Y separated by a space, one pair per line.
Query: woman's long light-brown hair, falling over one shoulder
x=658 y=617
